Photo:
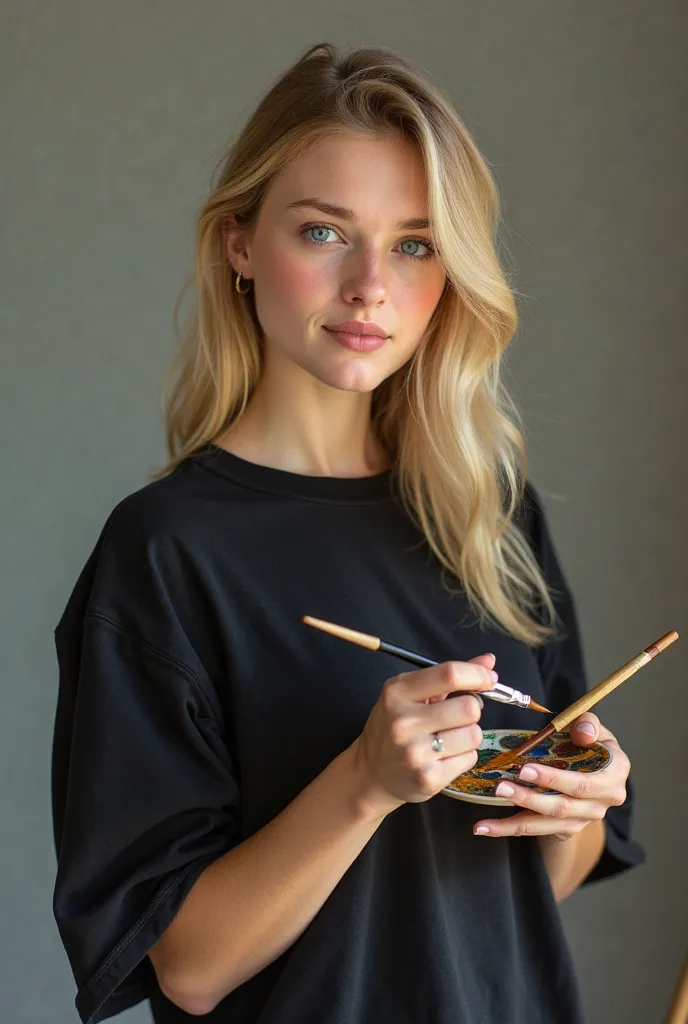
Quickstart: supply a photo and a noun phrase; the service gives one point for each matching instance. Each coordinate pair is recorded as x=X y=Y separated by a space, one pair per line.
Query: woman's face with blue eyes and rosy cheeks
x=315 y=268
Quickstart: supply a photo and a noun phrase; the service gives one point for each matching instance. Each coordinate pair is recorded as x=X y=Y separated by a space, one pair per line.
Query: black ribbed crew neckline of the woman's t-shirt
x=281 y=482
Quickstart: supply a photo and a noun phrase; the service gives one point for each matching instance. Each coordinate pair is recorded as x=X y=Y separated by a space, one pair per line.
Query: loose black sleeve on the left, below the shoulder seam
x=145 y=798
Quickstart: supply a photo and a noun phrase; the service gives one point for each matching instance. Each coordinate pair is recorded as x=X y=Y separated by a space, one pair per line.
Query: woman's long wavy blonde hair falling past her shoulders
x=451 y=430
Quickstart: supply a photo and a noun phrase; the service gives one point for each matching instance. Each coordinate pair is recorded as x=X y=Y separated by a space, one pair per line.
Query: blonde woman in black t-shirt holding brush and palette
x=248 y=814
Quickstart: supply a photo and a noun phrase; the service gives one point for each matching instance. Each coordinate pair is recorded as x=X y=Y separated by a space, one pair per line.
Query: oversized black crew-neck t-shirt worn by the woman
x=195 y=706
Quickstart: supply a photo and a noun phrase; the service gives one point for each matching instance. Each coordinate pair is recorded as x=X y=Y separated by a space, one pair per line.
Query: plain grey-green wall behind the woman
x=114 y=115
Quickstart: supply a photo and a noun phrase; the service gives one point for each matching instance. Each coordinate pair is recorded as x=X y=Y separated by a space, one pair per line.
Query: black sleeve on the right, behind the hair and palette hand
x=563 y=669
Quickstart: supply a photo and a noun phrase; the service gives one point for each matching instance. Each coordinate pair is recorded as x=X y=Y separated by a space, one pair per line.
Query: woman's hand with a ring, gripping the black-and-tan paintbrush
x=394 y=755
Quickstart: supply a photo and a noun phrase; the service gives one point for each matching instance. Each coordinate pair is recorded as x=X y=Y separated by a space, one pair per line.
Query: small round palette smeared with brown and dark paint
x=478 y=786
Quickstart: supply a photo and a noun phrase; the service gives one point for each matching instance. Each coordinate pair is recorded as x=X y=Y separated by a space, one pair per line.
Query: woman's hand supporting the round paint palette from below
x=580 y=798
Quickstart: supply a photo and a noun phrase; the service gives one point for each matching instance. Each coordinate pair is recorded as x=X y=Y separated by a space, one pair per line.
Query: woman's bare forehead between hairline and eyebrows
x=378 y=178
